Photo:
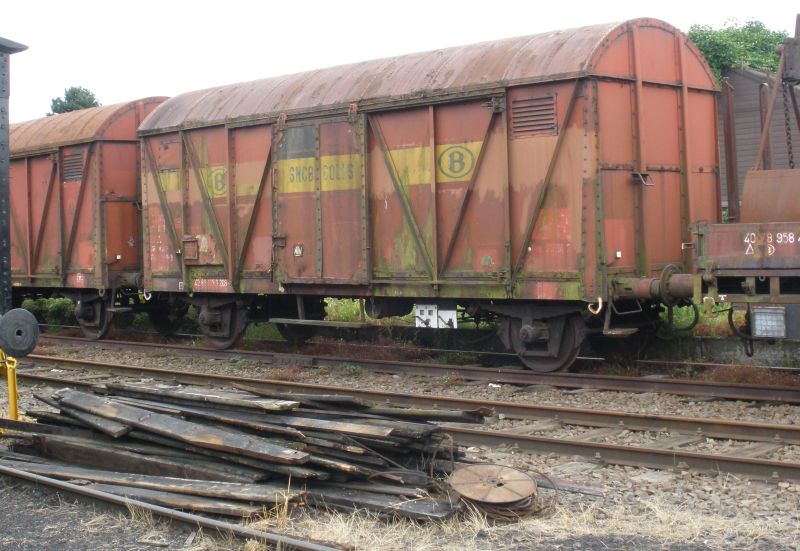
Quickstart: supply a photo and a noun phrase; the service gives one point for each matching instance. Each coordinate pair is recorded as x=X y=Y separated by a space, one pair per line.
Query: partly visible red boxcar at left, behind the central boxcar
x=75 y=208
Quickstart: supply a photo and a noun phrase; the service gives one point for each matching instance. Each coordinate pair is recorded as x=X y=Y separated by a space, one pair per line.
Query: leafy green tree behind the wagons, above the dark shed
x=749 y=45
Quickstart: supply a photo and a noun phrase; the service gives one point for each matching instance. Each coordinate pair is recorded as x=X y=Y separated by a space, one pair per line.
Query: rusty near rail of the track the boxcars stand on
x=683 y=387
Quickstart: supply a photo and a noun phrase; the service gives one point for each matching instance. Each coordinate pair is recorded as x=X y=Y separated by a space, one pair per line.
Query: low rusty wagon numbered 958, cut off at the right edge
x=754 y=264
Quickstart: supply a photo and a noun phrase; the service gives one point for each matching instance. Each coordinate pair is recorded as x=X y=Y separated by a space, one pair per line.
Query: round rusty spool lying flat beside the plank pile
x=493 y=485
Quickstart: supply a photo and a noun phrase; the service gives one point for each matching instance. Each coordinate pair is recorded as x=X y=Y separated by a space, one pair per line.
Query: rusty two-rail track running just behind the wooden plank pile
x=667 y=455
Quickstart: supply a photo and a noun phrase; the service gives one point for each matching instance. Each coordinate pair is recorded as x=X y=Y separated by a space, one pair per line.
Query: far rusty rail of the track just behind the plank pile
x=712 y=428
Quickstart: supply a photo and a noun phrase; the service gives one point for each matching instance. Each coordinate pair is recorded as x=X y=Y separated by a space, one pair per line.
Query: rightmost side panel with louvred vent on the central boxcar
x=546 y=164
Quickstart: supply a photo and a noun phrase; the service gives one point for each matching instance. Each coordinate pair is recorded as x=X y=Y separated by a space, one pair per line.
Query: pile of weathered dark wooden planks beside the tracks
x=240 y=451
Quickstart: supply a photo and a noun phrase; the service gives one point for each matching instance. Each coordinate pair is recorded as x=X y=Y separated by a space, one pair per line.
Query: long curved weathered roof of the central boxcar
x=547 y=56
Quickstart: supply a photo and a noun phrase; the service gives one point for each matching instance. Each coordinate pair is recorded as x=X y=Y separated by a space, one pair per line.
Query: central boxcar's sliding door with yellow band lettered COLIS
x=318 y=198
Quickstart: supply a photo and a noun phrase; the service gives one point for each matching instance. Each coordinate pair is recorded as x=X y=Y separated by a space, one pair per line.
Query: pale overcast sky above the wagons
x=127 y=50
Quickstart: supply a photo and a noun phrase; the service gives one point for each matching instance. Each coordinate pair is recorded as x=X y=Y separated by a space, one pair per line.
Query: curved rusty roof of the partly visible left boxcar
x=69 y=128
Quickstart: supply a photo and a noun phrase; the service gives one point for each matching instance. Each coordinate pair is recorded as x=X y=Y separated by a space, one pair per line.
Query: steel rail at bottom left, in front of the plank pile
x=279 y=541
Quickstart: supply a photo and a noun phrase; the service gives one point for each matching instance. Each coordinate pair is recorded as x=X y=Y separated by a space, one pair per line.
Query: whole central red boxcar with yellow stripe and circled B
x=546 y=182
